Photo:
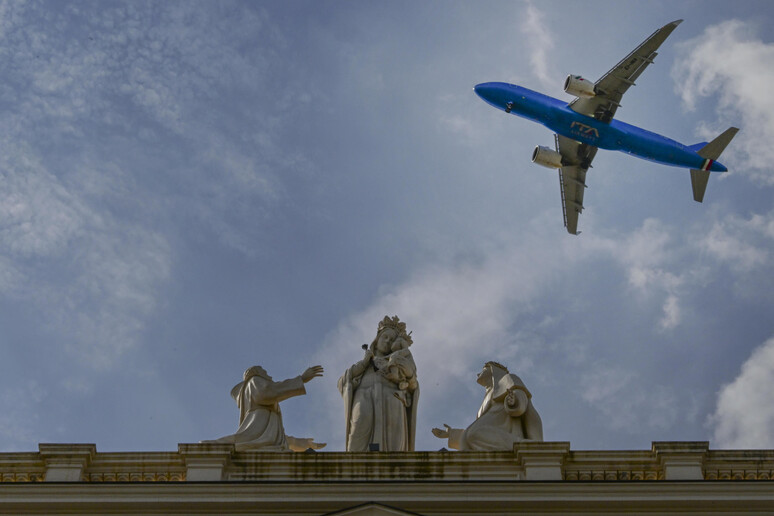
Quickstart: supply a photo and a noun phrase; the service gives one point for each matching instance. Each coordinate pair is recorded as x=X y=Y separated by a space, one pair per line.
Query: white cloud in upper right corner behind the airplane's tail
x=730 y=62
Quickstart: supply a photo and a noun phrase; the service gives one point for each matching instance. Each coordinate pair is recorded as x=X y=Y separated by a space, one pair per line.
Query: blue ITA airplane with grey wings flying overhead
x=586 y=124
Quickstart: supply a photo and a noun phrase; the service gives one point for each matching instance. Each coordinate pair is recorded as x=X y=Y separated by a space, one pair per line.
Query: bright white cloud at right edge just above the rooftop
x=744 y=416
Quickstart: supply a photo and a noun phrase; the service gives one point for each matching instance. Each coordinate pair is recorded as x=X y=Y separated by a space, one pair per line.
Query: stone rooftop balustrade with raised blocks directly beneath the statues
x=530 y=461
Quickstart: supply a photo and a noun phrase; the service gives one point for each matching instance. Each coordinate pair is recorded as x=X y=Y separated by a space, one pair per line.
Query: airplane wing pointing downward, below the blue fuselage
x=572 y=178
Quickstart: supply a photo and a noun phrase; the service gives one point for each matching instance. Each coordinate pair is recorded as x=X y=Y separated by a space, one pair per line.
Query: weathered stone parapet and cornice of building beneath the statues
x=524 y=480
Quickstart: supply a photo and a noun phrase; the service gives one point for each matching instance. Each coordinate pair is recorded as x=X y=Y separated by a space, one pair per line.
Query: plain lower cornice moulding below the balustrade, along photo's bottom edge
x=423 y=497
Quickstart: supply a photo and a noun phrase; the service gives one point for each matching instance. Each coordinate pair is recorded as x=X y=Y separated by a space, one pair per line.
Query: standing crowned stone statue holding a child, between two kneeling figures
x=381 y=392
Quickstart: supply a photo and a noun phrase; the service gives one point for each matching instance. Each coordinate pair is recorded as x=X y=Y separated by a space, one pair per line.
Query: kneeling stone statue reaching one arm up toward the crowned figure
x=260 y=419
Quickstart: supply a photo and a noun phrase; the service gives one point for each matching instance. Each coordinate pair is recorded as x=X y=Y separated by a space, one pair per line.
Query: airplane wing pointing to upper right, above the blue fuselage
x=611 y=87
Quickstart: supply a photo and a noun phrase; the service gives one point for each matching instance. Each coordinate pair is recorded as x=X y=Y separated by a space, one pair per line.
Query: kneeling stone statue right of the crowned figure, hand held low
x=506 y=416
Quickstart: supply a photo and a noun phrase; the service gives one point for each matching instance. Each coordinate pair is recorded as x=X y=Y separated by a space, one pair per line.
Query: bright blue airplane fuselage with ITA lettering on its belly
x=558 y=117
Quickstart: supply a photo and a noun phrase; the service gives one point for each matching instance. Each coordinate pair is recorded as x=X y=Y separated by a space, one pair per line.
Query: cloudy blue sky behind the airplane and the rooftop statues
x=191 y=188
